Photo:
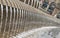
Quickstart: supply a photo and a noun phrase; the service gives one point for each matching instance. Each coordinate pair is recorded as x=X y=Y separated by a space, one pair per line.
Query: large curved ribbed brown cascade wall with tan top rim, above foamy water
x=17 y=17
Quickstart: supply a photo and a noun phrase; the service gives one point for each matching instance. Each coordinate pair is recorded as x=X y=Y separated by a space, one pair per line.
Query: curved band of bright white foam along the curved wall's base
x=25 y=34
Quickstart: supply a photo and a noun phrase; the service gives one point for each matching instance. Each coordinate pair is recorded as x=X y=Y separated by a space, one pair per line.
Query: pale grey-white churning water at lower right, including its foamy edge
x=44 y=32
